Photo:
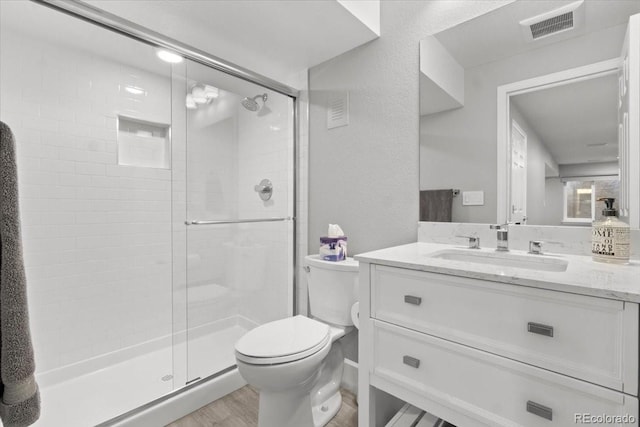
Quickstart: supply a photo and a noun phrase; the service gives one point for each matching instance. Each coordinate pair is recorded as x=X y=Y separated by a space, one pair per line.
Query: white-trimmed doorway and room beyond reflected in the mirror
x=563 y=139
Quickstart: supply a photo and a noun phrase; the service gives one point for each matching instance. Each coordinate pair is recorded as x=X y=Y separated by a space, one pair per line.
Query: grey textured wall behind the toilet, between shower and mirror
x=365 y=176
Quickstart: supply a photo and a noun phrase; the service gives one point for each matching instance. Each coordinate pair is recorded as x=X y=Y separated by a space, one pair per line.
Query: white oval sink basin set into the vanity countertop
x=504 y=259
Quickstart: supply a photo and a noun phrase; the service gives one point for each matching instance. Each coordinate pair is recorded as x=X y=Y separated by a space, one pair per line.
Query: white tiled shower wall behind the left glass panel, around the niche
x=97 y=236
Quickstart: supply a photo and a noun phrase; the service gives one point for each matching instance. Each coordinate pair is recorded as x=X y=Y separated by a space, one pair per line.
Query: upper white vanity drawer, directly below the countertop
x=594 y=339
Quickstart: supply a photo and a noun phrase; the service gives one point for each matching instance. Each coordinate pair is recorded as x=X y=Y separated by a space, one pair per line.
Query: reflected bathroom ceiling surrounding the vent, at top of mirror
x=471 y=44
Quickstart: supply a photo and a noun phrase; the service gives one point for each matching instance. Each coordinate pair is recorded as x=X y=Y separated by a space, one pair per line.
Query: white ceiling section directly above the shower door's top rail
x=276 y=38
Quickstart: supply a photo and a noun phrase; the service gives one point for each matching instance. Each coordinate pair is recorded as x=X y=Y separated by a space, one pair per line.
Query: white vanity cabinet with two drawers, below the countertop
x=485 y=353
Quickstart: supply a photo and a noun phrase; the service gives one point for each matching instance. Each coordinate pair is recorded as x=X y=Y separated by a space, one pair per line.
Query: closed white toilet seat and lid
x=283 y=341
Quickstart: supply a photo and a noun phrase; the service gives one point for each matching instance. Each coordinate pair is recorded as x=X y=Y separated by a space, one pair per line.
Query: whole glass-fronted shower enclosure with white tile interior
x=157 y=206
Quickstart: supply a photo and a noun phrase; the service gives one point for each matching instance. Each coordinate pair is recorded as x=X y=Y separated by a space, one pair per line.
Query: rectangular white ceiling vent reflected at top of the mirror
x=557 y=21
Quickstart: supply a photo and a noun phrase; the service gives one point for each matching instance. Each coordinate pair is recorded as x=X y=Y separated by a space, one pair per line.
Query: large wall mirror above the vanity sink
x=558 y=102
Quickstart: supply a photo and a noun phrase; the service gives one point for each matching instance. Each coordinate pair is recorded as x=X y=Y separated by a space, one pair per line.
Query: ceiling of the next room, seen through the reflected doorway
x=577 y=122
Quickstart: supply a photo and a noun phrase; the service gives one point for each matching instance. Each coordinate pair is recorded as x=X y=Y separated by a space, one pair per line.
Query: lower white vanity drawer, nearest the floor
x=488 y=389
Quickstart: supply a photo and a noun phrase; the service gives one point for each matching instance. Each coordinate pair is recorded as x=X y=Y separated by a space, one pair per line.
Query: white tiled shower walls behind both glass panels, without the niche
x=98 y=236
